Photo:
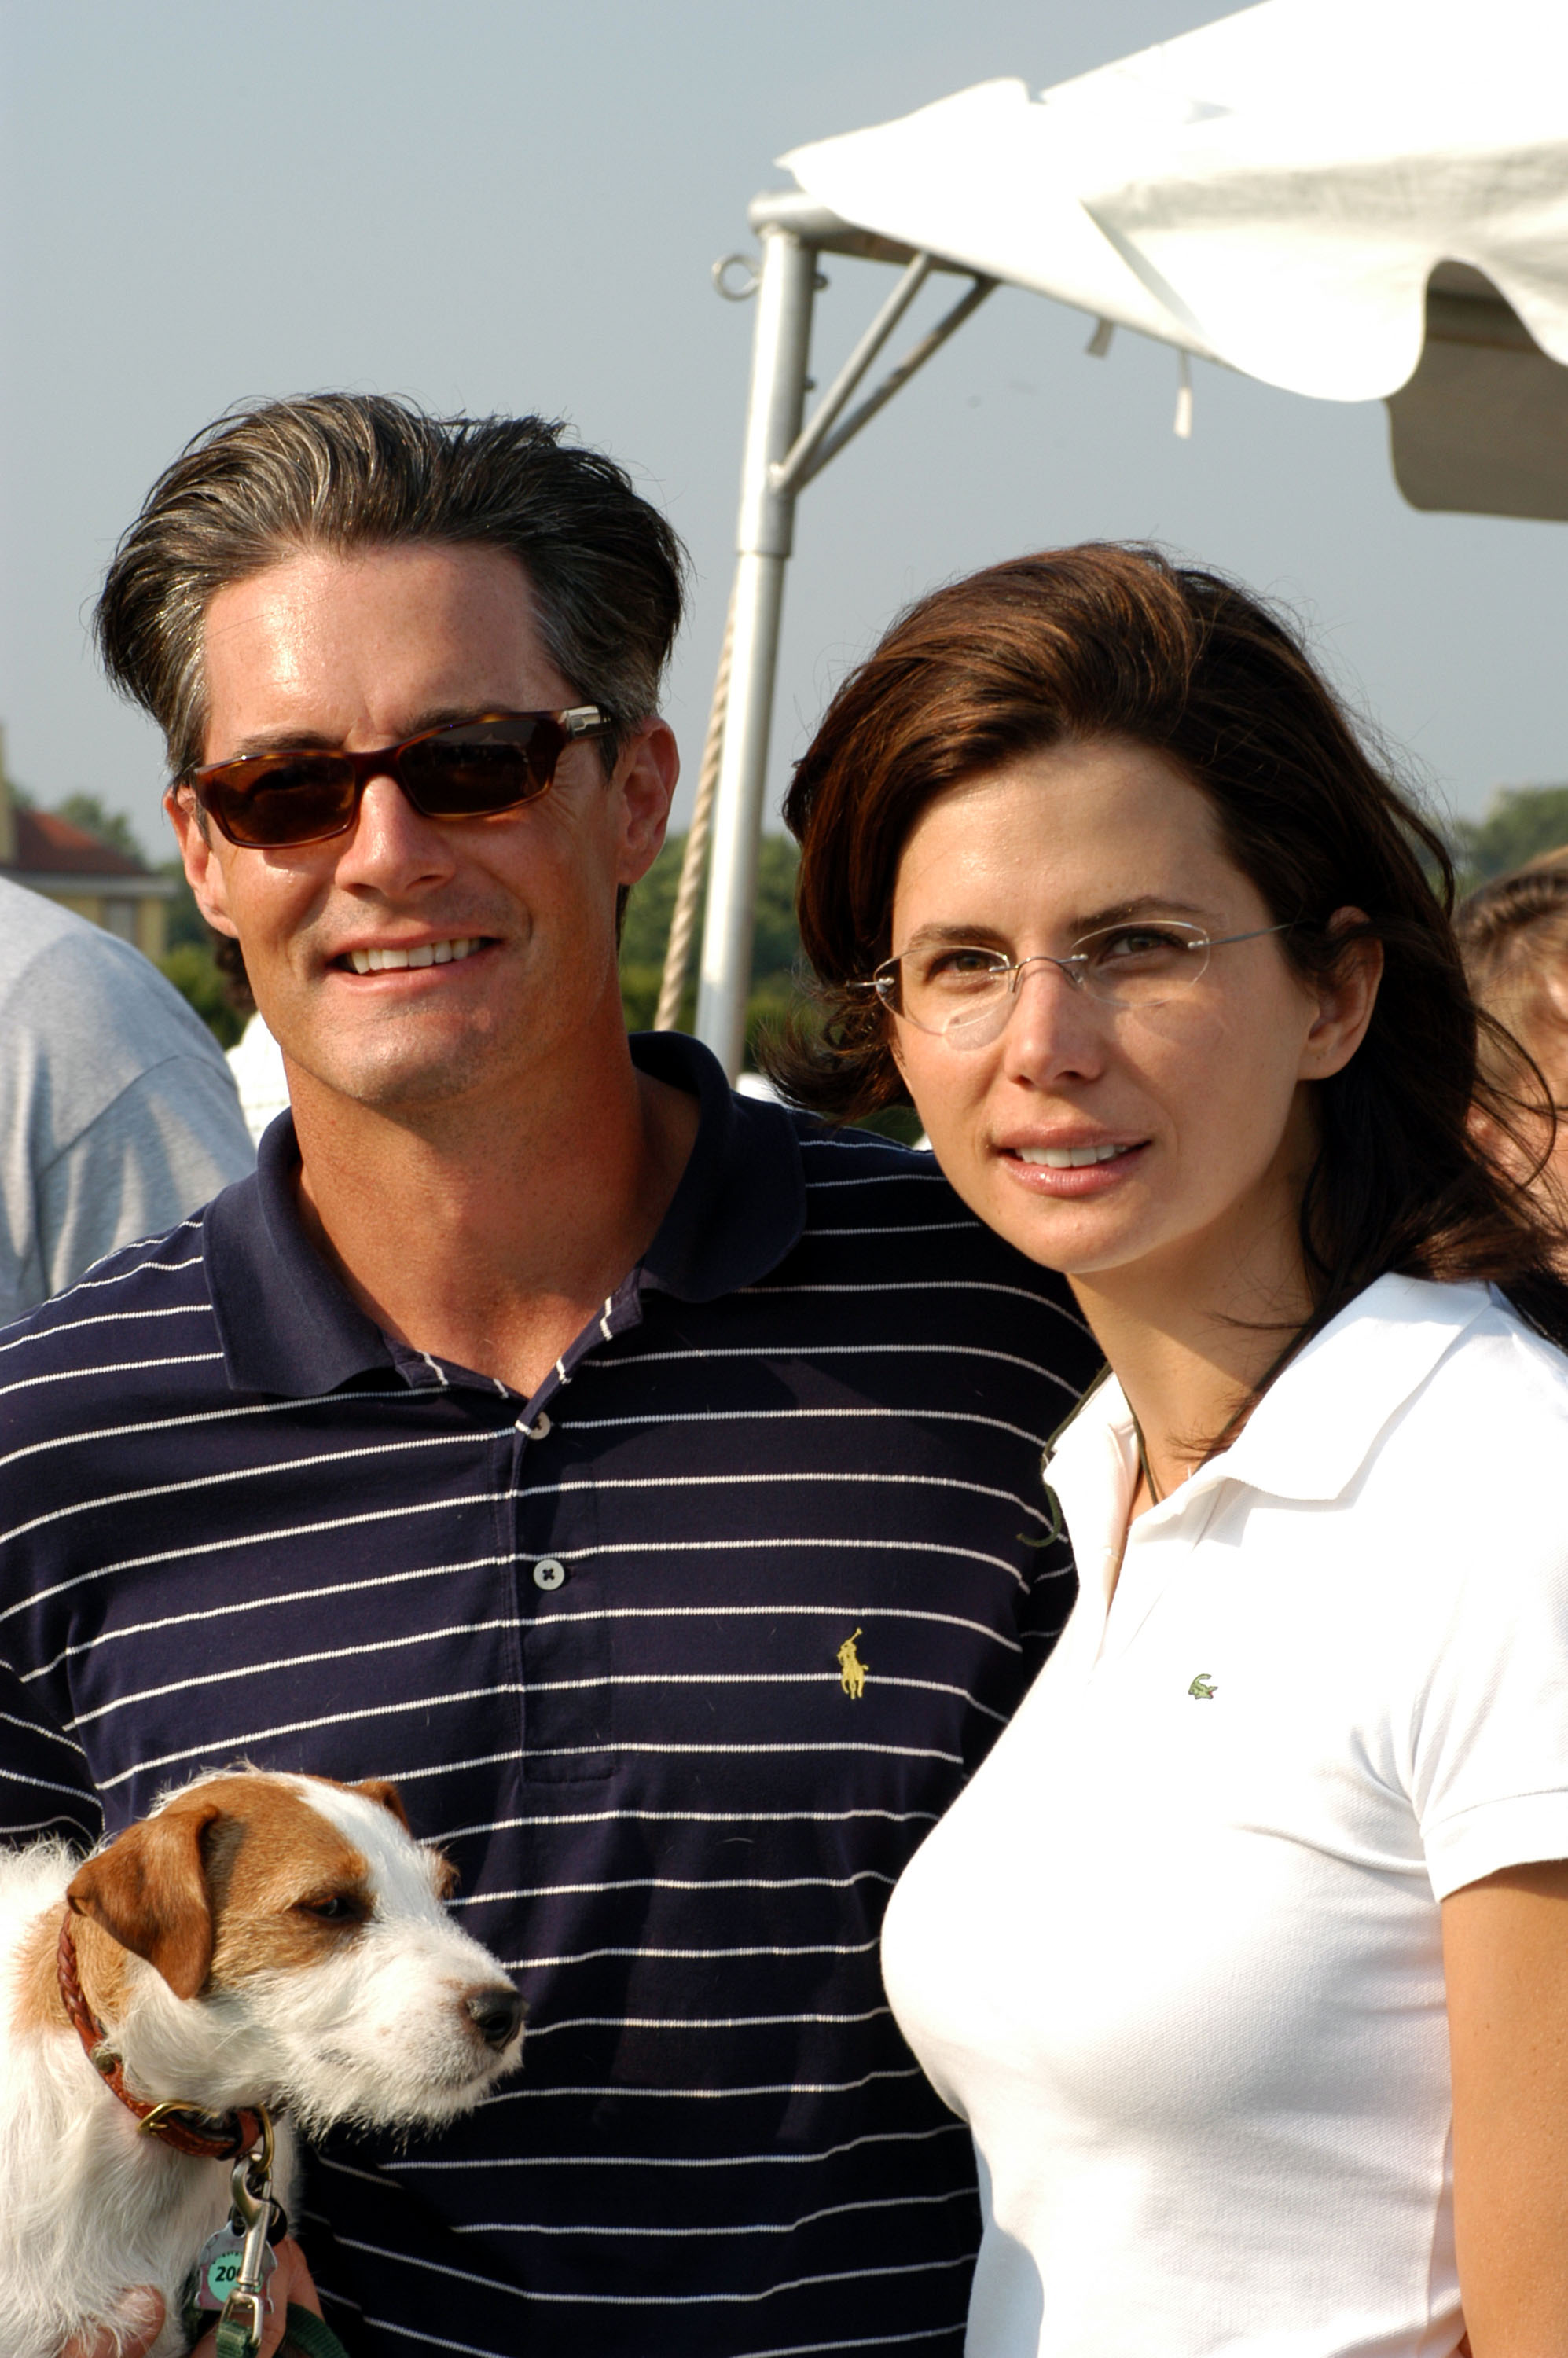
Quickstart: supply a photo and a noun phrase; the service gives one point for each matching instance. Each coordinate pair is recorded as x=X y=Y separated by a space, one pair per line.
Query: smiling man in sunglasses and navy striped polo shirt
x=640 y=1477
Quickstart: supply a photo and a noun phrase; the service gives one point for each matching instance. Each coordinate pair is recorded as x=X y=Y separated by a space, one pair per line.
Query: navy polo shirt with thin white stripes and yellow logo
x=678 y=1659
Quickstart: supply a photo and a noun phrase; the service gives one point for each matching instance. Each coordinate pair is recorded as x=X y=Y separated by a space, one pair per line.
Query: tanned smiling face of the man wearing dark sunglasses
x=364 y=652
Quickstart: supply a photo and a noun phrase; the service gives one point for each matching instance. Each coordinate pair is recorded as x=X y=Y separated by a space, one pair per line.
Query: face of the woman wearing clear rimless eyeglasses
x=1199 y=1105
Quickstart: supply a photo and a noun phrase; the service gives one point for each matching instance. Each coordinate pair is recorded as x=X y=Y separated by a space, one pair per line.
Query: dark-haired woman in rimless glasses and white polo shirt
x=1246 y=1954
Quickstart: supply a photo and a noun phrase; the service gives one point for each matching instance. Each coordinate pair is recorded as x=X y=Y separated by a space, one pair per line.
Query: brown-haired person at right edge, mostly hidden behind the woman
x=1515 y=944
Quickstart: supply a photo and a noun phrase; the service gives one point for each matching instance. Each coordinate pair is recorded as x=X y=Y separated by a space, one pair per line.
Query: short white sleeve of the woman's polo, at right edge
x=1491 y=1723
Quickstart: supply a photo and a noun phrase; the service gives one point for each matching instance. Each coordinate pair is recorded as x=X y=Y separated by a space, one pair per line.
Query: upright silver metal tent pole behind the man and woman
x=763 y=548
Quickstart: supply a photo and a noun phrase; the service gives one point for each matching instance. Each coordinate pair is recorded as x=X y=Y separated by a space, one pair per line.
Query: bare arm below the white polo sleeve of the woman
x=1506 y=1961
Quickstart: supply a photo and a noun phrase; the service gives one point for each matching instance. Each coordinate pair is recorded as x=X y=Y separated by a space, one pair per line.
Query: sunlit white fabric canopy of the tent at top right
x=1272 y=192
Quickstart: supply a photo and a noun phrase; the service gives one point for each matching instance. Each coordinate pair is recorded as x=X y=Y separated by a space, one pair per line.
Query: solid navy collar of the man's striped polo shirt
x=289 y=1324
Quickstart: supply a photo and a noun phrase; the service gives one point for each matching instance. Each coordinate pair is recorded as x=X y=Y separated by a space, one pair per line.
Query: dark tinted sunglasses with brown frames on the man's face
x=468 y=770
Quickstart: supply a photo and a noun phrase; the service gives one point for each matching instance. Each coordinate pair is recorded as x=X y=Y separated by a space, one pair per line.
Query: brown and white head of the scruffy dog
x=296 y=1951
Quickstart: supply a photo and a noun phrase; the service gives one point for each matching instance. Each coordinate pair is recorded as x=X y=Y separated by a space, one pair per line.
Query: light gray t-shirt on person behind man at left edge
x=117 y=1105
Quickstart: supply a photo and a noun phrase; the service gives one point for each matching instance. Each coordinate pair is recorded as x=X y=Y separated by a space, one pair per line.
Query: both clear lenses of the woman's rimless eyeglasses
x=1124 y=966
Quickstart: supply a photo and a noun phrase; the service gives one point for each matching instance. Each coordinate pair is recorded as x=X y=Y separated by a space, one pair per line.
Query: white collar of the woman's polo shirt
x=1307 y=1437
